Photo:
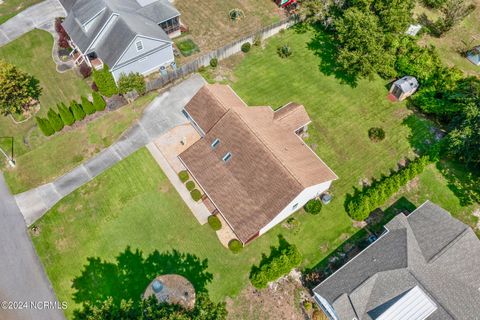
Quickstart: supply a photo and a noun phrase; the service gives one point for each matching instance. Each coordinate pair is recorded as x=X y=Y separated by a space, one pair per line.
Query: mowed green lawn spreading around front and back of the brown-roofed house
x=133 y=204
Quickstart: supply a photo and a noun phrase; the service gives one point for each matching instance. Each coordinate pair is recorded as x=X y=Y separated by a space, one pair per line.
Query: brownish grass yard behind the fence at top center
x=211 y=27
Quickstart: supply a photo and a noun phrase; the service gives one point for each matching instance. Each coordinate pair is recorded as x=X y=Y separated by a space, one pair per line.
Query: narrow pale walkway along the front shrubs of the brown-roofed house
x=198 y=208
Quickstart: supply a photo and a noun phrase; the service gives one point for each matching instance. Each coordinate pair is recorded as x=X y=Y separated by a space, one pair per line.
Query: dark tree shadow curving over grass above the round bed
x=128 y=277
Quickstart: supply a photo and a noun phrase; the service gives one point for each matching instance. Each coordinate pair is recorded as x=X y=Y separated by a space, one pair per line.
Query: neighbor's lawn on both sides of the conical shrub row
x=40 y=159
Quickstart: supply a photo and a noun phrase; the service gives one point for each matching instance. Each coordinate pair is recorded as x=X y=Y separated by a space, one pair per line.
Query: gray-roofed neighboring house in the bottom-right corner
x=425 y=266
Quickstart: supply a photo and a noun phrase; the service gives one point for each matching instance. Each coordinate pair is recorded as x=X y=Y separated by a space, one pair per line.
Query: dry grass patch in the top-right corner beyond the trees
x=465 y=34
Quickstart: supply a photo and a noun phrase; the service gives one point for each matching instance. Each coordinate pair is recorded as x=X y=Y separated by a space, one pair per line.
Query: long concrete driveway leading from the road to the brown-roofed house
x=164 y=113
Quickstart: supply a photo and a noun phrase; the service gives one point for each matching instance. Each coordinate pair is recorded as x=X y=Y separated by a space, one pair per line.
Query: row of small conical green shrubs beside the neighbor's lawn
x=66 y=116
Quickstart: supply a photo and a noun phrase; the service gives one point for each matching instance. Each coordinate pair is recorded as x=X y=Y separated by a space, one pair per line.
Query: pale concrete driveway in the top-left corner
x=34 y=17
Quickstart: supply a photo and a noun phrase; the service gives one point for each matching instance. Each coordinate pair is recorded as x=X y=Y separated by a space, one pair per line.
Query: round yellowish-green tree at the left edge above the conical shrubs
x=17 y=89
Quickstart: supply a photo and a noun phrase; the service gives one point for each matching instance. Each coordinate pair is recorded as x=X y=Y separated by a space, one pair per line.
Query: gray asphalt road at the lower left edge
x=22 y=277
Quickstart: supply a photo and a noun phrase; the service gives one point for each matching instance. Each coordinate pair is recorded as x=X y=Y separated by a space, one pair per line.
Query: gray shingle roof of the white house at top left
x=132 y=20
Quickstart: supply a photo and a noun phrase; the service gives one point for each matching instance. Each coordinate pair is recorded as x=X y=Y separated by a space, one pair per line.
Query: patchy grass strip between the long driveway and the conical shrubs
x=57 y=155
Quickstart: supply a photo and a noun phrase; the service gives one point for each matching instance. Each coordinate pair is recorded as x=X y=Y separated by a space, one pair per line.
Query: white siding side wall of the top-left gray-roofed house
x=147 y=64
